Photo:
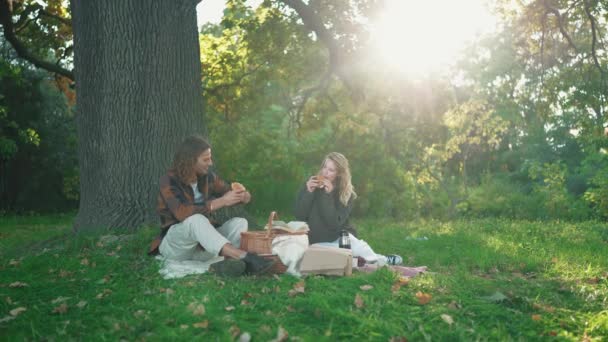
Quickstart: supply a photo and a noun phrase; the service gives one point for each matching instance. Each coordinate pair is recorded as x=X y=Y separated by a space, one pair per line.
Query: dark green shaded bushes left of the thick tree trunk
x=37 y=143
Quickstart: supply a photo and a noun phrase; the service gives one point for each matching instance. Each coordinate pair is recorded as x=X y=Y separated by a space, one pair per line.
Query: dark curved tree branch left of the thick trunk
x=9 y=34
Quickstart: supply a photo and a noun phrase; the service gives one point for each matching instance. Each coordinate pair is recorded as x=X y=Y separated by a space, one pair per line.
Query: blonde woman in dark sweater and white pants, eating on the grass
x=325 y=203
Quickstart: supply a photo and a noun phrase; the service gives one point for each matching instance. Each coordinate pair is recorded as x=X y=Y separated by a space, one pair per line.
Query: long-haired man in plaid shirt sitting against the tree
x=189 y=193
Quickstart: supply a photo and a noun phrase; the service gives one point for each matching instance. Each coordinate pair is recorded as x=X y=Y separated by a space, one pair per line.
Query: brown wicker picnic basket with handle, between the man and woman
x=260 y=242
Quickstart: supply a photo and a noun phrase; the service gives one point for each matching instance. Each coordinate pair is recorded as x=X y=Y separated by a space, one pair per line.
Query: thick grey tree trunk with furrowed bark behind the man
x=138 y=82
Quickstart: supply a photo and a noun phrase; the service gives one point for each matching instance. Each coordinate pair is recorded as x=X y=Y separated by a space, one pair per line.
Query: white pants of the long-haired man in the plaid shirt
x=183 y=239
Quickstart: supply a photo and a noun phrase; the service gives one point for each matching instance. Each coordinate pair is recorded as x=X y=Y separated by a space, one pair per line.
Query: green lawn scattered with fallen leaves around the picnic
x=490 y=279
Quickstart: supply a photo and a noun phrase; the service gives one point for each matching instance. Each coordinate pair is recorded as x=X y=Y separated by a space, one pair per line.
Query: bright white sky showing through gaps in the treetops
x=415 y=36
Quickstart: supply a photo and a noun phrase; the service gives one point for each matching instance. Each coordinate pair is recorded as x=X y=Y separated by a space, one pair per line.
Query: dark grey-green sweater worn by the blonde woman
x=325 y=214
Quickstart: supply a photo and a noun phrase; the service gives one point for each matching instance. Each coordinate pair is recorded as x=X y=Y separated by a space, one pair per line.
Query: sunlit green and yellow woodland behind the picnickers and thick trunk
x=515 y=127
